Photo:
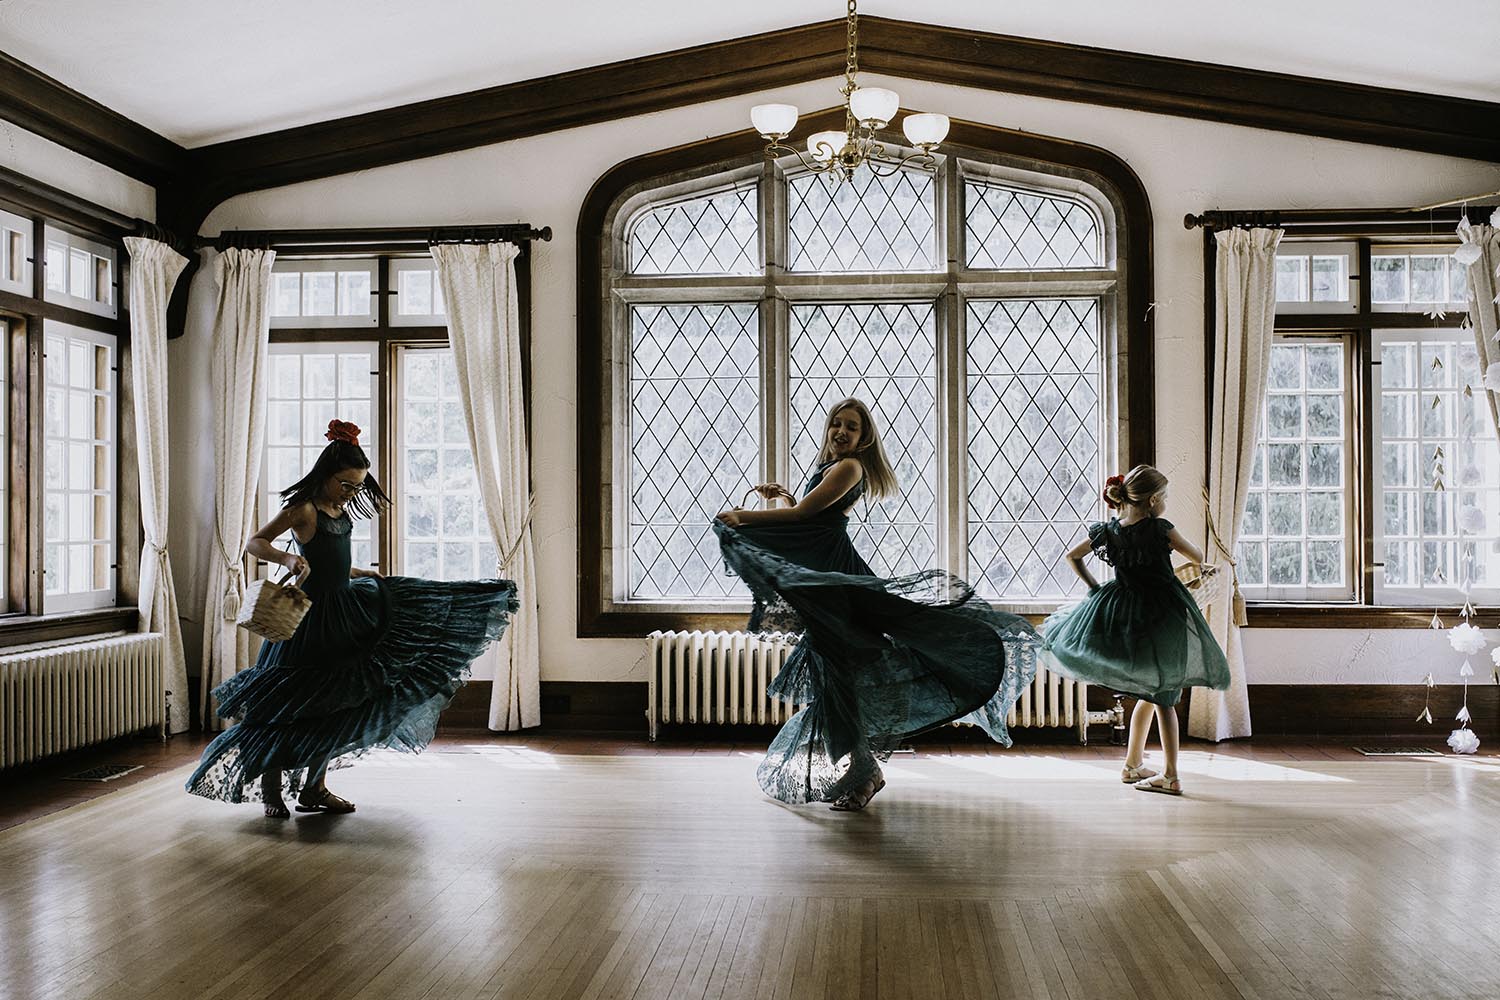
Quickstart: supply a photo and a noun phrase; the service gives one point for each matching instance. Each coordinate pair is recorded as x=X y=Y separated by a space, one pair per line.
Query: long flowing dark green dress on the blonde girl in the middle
x=880 y=660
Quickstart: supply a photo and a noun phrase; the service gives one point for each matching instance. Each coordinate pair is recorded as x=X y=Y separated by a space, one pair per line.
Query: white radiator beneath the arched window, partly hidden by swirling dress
x=722 y=678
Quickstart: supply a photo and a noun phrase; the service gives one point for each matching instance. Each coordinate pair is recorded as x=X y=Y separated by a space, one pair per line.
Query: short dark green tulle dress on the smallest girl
x=1141 y=633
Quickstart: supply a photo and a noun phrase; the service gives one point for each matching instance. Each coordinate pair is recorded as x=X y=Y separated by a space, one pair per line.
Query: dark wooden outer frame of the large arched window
x=985 y=145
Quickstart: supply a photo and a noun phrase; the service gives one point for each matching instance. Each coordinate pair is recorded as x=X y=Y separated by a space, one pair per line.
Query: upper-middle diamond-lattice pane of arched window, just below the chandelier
x=868 y=224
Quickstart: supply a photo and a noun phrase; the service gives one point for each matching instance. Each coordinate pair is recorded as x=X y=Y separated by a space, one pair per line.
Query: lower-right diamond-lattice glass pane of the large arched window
x=1036 y=425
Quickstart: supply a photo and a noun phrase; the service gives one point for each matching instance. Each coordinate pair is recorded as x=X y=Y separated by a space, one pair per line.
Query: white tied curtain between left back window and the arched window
x=479 y=287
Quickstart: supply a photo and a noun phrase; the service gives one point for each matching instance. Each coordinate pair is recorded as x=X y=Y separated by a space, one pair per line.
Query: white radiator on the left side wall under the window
x=62 y=698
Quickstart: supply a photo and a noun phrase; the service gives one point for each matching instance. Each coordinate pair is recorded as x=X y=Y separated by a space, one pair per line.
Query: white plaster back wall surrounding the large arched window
x=1186 y=167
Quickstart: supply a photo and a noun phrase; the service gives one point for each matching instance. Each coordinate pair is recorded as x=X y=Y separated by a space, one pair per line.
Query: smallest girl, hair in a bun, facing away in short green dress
x=1142 y=632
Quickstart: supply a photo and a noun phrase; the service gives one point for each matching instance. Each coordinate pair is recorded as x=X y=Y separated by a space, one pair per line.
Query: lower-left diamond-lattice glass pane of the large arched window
x=695 y=443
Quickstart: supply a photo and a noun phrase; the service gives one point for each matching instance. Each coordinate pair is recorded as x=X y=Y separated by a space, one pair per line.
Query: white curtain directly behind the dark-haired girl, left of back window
x=238 y=374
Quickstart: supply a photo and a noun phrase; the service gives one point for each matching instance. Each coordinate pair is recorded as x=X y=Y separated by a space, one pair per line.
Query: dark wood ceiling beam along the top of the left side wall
x=40 y=104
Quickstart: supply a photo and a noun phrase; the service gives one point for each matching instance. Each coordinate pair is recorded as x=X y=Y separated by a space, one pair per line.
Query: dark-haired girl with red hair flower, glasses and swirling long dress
x=373 y=663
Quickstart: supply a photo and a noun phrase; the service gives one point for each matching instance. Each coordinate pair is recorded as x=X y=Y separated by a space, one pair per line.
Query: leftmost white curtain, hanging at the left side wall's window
x=154 y=274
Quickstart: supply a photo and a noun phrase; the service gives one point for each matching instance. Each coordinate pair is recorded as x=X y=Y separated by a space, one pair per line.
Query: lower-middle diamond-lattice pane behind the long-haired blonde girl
x=884 y=355
